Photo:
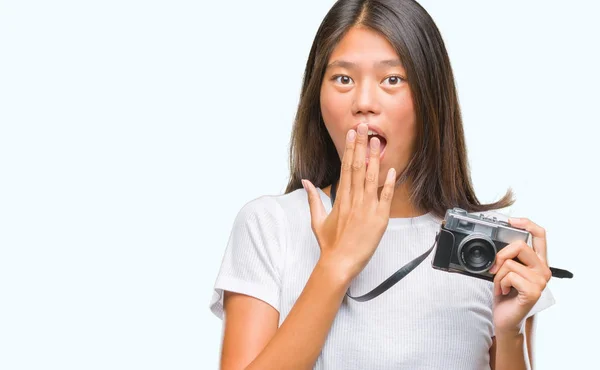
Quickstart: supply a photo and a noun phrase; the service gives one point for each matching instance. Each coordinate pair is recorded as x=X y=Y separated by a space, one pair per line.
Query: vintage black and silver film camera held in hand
x=468 y=243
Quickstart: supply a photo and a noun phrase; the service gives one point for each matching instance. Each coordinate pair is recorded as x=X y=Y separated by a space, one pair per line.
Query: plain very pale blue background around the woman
x=132 y=132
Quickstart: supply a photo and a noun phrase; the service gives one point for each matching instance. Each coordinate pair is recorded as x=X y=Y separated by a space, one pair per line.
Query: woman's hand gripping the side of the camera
x=527 y=277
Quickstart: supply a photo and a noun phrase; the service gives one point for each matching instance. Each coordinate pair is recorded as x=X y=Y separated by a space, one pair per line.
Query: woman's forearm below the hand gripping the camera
x=511 y=352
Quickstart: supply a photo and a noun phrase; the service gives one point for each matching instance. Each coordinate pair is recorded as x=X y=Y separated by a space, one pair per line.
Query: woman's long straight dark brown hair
x=438 y=171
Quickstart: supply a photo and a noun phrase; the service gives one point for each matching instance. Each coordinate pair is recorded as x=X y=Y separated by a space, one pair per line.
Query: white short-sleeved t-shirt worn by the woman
x=431 y=319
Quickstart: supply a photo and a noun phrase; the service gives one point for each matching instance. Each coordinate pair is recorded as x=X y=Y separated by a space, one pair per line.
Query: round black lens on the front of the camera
x=476 y=254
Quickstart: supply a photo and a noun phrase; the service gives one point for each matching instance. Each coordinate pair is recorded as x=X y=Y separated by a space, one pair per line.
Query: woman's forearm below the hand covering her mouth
x=298 y=342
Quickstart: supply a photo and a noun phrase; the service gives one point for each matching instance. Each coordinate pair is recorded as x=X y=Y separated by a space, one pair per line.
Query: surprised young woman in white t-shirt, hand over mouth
x=378 y=120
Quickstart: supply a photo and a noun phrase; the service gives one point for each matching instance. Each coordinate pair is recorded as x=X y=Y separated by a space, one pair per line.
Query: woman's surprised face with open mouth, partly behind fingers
x=365 y=82
